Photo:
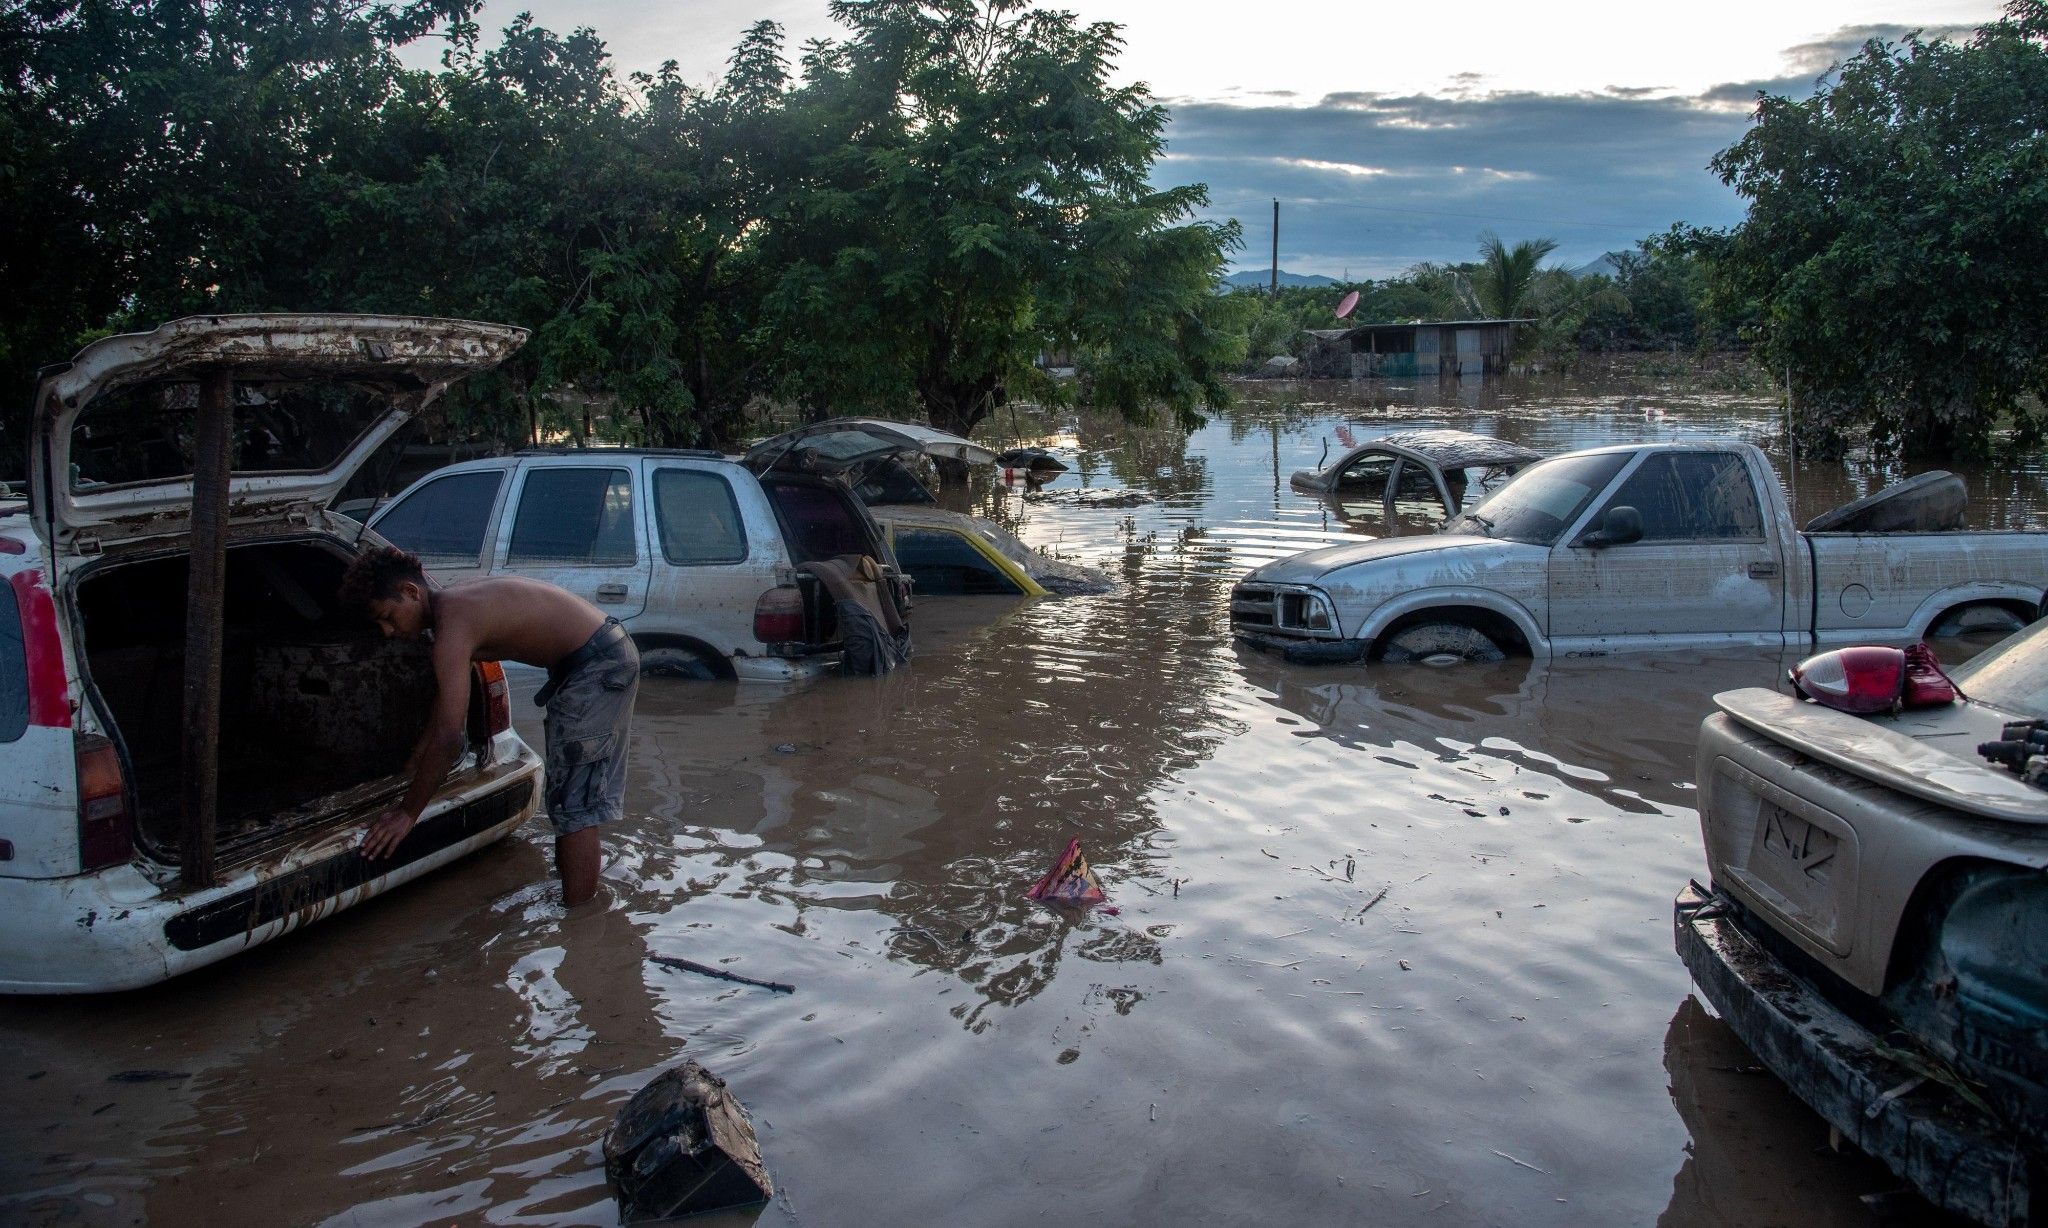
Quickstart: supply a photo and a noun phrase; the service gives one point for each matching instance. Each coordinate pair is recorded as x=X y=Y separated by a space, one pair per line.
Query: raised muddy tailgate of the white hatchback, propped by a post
x=384 y=367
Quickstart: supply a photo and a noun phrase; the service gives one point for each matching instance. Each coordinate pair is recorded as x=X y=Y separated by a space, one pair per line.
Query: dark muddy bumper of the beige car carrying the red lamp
x=1953 y=1153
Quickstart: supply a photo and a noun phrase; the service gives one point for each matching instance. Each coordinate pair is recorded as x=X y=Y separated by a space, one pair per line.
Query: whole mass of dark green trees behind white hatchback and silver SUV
x=902 y=224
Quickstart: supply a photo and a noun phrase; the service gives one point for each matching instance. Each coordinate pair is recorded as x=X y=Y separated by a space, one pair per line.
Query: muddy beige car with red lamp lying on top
x=1877 y=920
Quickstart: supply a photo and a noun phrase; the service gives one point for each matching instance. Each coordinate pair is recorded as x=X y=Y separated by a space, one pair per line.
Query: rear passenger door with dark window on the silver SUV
x=581 y=527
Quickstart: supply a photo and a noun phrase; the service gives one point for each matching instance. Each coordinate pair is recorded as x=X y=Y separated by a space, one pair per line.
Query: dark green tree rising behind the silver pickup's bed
x=1895 y=238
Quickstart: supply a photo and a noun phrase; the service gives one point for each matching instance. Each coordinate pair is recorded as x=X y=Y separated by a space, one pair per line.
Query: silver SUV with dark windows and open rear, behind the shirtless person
x=697 y=554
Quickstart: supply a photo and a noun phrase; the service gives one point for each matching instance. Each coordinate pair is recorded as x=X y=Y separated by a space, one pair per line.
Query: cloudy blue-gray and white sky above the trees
x=1398 y=132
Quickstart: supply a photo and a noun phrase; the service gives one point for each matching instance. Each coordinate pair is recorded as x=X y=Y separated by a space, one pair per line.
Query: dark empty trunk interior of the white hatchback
x=318 y=711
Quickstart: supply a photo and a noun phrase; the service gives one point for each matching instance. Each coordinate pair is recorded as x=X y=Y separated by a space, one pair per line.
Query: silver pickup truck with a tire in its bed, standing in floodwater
x=1648 y=547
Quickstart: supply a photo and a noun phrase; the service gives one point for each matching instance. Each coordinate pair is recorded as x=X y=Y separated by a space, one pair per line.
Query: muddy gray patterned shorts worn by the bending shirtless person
x=589 y=719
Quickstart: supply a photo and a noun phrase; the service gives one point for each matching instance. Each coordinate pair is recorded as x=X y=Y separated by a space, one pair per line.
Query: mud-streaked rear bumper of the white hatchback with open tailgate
x=126 y=930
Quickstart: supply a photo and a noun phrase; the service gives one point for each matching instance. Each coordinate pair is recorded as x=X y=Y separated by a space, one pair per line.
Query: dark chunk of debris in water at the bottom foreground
x=683 y=1147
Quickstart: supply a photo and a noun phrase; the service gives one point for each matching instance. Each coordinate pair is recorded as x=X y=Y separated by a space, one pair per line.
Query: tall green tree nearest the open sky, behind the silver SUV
x=976 y=195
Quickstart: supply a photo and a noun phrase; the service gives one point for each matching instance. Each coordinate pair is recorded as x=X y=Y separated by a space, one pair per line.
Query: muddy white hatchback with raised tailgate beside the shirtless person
x=318 y=713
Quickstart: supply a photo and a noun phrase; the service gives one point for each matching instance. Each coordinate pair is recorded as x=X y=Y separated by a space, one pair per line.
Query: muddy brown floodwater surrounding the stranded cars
x=1502 y=1039
